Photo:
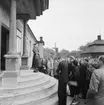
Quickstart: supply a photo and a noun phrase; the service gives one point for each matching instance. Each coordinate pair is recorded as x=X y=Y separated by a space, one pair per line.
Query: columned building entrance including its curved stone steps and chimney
x=22 y=87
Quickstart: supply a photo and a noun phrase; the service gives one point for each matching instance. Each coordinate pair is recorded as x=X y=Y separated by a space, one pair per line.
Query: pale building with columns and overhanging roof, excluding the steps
x=16 y=37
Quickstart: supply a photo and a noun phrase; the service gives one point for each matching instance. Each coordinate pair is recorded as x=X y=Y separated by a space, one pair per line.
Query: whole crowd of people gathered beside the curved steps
x=84 y=76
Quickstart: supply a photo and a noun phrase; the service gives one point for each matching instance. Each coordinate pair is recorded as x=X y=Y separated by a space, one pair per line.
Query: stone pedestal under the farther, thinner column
x=24 y=63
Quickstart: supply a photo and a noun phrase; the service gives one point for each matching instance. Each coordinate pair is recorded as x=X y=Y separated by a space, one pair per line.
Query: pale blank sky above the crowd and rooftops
x=70 y=23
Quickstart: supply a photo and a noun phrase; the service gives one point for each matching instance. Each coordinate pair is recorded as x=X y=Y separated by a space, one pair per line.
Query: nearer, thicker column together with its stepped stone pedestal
x=9 y=77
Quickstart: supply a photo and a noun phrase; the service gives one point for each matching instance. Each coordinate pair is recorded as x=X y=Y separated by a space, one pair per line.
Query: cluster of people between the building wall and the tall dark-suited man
x=47 y=66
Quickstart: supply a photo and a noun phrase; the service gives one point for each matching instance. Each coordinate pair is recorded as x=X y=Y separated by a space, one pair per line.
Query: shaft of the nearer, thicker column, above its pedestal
x=12 y=37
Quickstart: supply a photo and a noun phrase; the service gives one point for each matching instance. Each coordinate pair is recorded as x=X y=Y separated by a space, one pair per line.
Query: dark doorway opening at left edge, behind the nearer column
x=4 y=45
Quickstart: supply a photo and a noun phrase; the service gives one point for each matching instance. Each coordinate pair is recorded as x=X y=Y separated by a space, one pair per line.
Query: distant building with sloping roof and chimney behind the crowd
x=95 y=49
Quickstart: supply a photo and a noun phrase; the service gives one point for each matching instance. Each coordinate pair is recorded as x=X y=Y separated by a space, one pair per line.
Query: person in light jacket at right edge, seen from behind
x=95 y=94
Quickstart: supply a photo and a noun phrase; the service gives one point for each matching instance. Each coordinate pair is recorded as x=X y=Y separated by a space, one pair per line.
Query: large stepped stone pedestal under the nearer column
x=10 y=76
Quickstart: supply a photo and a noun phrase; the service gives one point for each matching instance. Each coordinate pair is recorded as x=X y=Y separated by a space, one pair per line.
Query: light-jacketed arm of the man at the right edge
x=94 y=85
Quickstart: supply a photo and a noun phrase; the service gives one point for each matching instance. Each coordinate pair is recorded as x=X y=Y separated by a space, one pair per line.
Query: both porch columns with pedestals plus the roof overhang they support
x=23 y=10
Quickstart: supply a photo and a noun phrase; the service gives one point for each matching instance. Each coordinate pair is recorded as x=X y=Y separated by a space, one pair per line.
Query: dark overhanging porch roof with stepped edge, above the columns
x=30 y=8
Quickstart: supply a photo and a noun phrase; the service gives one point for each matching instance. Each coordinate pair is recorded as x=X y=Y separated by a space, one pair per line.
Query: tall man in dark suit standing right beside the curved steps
x=62 y=70
